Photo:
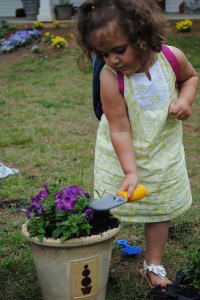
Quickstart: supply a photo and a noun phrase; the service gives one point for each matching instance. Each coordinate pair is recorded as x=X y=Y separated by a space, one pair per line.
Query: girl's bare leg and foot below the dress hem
x=156 y=236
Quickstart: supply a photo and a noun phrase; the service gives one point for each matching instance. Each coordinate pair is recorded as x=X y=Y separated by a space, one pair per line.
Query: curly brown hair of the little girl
x=142 y=22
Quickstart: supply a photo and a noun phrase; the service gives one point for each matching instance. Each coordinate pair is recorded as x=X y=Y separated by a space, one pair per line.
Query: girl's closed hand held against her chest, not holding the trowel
x=180 y=108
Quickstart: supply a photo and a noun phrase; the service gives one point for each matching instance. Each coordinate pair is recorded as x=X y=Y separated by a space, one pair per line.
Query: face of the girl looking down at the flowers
x=116 y=50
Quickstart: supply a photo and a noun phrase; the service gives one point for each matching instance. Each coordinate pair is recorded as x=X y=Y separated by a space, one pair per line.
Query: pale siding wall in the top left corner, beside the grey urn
x=8 y=7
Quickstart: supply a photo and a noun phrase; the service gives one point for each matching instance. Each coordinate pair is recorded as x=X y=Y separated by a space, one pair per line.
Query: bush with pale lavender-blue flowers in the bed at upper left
x=21 y=38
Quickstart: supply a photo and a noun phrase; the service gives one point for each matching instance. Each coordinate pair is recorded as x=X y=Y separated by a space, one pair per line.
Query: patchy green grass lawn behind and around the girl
x=48 y=131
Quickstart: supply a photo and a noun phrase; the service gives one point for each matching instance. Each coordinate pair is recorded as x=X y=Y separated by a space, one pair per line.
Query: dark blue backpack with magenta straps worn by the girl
x=98 y=65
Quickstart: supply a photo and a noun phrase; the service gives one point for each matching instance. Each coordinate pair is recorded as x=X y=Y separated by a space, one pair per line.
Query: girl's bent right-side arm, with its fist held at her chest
x=181 y=107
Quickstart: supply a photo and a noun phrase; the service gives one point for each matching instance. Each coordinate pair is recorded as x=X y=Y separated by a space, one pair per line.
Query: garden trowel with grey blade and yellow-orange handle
x=110 y=201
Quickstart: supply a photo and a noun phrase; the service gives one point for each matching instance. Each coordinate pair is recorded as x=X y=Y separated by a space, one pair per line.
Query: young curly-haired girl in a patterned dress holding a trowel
x=140 y=133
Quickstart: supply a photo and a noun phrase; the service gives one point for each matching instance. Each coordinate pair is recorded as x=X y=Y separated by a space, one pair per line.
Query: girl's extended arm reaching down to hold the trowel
x=115 y=110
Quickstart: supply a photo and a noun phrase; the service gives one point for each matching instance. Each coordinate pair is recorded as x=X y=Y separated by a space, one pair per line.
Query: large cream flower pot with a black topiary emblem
x=75 y=269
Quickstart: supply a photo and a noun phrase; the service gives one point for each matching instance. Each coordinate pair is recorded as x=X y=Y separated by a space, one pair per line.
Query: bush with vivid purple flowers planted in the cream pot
x=59 y=213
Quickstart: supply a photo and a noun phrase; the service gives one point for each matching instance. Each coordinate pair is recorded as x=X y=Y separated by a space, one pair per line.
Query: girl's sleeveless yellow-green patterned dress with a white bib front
x=158 y=143
